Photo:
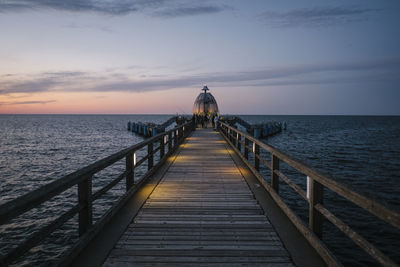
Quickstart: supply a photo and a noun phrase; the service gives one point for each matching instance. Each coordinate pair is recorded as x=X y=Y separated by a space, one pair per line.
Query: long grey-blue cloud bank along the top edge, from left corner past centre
x=159 y=8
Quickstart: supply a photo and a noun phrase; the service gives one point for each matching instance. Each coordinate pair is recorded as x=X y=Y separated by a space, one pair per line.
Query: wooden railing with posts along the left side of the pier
x=168 y=140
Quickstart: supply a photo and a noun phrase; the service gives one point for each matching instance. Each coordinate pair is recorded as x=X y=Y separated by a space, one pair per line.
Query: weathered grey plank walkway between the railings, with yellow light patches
x=202 y=213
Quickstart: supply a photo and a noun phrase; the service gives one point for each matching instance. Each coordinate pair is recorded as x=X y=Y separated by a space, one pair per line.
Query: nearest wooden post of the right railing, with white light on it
x=316 y=195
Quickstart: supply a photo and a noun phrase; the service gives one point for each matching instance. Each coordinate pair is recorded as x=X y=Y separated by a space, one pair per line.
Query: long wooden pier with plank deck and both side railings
x=202 y=200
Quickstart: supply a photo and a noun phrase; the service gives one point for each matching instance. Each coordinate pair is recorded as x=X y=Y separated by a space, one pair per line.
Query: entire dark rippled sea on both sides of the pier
x=362 y=152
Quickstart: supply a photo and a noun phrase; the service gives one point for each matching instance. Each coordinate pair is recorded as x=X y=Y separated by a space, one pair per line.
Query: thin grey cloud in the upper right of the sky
x=317 y=16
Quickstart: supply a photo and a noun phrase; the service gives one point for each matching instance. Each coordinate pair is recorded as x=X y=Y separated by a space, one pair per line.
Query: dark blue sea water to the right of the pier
x=362 y=152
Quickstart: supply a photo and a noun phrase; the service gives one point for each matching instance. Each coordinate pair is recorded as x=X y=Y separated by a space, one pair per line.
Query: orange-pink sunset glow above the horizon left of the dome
x=155 y=102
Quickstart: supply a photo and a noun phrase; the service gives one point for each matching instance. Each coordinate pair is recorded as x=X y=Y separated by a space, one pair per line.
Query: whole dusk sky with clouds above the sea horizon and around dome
x=154 y=56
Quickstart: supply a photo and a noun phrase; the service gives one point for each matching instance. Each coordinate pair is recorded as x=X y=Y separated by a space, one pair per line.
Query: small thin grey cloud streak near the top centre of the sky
x=189 y=11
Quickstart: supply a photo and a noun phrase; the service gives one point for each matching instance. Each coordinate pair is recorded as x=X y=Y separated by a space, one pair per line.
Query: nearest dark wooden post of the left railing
x=85 y=201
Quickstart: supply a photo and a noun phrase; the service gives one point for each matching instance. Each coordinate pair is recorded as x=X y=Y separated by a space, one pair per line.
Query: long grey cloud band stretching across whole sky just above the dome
x=368 y=71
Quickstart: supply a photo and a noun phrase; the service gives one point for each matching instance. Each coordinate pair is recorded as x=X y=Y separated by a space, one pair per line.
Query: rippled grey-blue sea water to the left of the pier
x=38 y=149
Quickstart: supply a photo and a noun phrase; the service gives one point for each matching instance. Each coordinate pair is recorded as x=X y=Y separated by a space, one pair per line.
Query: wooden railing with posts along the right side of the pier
x=316 y=182
